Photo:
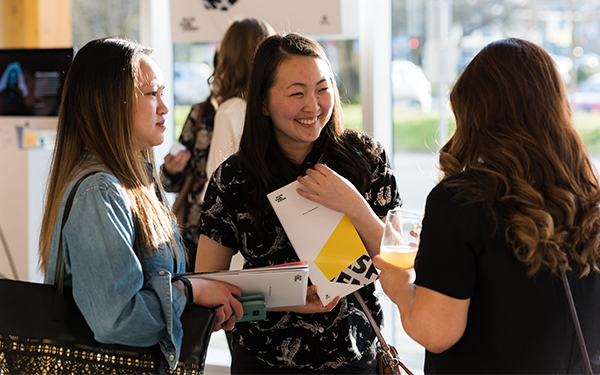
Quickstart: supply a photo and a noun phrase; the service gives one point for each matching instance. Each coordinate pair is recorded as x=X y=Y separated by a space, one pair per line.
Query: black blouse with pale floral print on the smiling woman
x=313 y=342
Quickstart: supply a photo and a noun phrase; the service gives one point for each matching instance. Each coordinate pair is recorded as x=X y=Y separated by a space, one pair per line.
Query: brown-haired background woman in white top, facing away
x=229 y=85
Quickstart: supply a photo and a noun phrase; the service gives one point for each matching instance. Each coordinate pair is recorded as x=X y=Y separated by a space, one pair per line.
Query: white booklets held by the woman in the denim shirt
x=282 y=285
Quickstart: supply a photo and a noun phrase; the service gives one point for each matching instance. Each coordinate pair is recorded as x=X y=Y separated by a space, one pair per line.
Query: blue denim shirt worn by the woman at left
x=120 y=303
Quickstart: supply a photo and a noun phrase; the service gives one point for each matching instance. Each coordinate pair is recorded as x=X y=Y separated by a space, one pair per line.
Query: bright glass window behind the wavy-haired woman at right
x=566 y=29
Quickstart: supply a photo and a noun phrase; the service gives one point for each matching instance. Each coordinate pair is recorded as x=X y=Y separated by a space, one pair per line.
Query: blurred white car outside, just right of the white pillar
x=410 y=86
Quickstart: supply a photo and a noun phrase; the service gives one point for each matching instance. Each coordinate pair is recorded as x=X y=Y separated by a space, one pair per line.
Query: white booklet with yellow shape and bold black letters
x=337 y=259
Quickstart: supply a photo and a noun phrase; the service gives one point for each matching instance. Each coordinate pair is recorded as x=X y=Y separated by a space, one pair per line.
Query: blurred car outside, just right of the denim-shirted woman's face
x=190 y=82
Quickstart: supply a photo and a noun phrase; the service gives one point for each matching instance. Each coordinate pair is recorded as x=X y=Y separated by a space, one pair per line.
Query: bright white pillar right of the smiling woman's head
x=375 y=46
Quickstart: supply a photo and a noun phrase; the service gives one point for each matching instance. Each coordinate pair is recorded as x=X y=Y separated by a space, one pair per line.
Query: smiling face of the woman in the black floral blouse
x=300 y=103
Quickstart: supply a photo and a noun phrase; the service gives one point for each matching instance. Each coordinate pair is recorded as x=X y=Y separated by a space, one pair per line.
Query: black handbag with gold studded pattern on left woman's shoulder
x=43 y=331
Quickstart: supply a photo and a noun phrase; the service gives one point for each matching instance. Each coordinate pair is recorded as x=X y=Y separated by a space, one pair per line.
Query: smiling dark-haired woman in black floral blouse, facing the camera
x=292 y=128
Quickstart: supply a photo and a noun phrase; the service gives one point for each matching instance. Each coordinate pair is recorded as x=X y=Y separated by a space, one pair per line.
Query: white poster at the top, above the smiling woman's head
x=207 y=20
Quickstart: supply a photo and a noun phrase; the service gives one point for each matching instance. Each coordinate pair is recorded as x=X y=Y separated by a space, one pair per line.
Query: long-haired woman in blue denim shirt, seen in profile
x=110 y=118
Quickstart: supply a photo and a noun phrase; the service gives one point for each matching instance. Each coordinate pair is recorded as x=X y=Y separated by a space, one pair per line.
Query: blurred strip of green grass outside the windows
x=417 y=132
